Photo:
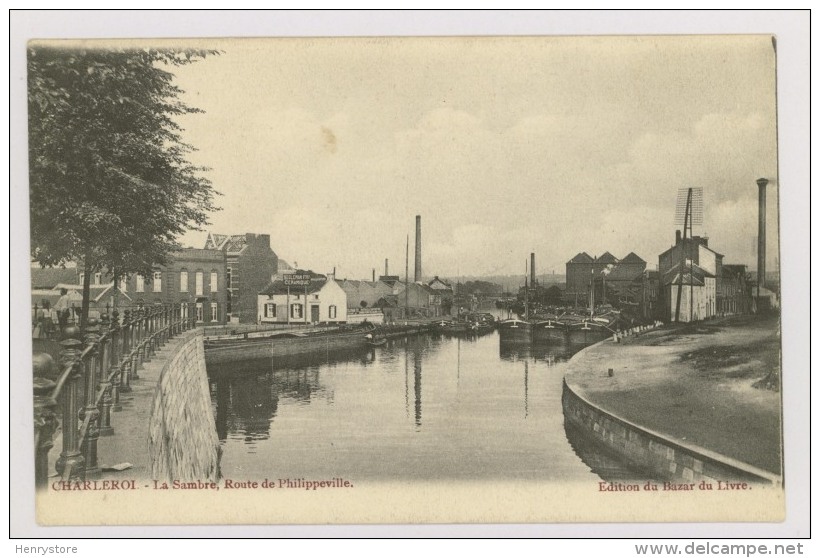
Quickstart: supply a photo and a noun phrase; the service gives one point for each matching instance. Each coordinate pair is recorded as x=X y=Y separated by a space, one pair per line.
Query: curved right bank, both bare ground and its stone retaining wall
x=685 y=401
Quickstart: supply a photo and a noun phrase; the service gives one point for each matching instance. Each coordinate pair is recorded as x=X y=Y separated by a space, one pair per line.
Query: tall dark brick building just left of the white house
x=250 y=267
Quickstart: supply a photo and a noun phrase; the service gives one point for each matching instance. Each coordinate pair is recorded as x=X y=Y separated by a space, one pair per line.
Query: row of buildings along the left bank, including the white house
x=237 y=279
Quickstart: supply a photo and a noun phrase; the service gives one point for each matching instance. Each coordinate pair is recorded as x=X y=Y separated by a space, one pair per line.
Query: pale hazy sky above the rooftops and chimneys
x=504 y=146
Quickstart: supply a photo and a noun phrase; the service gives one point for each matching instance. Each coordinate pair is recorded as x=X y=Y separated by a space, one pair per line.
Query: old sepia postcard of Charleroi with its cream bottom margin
x=403 y=280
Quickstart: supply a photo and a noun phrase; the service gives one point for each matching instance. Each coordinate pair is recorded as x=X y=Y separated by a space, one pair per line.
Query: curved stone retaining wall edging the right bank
x=654 y=453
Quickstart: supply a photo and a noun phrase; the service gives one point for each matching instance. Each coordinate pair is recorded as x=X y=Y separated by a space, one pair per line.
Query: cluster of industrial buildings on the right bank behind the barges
x=689 y=270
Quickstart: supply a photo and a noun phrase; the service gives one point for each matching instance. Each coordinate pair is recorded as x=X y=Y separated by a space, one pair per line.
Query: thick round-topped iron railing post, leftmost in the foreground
x=45 y=419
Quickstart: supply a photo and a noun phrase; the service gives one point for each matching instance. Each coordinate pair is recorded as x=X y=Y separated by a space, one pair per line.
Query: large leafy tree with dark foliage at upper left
x=110 y=183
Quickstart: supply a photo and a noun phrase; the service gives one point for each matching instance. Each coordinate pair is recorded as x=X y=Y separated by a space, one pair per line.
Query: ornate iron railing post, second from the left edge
x=70 y=463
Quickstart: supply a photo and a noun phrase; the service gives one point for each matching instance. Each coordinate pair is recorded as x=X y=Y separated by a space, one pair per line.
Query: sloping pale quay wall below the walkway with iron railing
x=183 y=443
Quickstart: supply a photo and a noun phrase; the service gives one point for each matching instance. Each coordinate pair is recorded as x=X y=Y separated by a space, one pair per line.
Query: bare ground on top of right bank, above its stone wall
x=711 y=385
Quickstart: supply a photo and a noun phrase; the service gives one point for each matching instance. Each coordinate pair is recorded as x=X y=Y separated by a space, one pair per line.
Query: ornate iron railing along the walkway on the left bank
x=96 y=366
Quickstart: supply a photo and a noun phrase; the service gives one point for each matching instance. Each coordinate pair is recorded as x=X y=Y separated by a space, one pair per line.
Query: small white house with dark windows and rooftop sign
x=323 y=301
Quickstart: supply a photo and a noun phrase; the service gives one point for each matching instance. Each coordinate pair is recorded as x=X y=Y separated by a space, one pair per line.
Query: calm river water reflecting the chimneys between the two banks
x=425 y=407
